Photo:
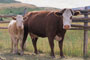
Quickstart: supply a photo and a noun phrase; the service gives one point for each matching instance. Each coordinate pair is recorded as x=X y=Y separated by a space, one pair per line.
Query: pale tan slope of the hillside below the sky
x=18 y=5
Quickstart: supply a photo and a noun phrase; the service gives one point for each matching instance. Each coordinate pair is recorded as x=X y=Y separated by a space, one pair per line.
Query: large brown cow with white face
x=51 y=24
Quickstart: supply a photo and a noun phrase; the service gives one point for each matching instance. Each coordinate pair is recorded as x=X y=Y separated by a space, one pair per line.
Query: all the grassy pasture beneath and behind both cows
x=73 y=46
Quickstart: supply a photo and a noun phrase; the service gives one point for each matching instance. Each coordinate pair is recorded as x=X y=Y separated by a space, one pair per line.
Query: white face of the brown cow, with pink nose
x=67 y=15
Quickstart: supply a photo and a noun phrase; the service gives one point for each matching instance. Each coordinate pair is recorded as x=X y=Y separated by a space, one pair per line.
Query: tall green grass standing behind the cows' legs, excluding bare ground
x=73 y=43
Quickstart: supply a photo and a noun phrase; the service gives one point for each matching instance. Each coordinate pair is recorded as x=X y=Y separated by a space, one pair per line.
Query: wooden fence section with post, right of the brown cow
x=84 y=27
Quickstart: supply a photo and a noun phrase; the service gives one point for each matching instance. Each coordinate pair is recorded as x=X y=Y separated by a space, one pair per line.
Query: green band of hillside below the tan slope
x=20 y=10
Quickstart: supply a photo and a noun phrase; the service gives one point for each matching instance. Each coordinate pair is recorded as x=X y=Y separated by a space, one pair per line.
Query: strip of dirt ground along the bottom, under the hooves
x=32 y=56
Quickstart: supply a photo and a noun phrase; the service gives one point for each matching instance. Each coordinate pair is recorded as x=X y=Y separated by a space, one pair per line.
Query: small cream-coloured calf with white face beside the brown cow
x=16 y=32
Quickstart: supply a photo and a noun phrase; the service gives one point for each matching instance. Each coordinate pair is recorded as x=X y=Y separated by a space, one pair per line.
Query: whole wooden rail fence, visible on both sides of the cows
x=84 y=27
